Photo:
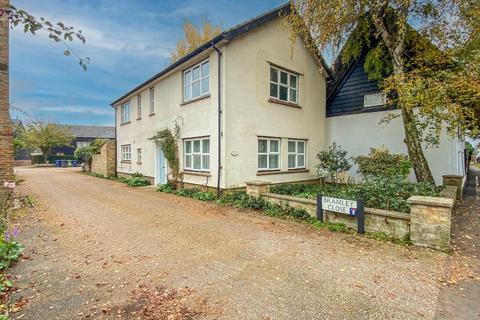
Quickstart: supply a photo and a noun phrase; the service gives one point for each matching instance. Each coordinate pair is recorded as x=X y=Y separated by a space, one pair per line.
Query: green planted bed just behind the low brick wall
x=388 y=194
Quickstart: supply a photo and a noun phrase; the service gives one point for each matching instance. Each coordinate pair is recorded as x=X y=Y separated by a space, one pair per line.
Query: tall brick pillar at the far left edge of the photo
x=6 y=128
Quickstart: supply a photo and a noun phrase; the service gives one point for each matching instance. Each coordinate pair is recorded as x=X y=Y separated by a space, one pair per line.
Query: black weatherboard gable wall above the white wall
x=347 y=92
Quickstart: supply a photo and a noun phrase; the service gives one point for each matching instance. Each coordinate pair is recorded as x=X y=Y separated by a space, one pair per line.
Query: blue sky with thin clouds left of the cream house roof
x=127 y=41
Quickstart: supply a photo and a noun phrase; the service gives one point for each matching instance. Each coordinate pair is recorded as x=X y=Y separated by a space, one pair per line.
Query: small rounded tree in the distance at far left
x=45 y=136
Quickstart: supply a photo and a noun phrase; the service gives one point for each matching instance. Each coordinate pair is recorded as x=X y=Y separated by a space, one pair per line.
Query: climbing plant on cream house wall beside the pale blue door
x=168 y=143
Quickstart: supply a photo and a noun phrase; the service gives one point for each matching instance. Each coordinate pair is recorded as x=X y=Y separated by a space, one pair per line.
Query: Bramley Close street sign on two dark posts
x=349 y=207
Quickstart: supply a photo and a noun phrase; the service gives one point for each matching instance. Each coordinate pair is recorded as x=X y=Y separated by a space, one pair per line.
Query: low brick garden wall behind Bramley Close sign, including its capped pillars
x=428 y=224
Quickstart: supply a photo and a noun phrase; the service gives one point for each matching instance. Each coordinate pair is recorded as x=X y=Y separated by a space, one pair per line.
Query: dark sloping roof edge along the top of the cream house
x=227 y=35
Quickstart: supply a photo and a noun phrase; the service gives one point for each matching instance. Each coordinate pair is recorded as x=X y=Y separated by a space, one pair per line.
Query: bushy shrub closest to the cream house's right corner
x=333 y=162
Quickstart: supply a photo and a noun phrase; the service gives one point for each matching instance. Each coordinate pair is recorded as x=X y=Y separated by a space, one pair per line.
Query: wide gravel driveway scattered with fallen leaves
x=96 y=248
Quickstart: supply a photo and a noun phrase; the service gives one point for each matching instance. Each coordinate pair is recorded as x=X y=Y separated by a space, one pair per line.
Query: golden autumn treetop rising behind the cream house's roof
x=193 y=38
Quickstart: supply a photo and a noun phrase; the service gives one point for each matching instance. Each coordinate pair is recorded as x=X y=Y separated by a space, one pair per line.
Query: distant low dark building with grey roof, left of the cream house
x=83 y=135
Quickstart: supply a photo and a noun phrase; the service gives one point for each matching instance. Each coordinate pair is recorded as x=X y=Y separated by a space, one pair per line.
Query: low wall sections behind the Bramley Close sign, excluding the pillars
x=393 y=224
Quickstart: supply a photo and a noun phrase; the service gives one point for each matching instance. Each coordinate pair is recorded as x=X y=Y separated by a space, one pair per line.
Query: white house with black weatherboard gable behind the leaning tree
x=355 y=108
